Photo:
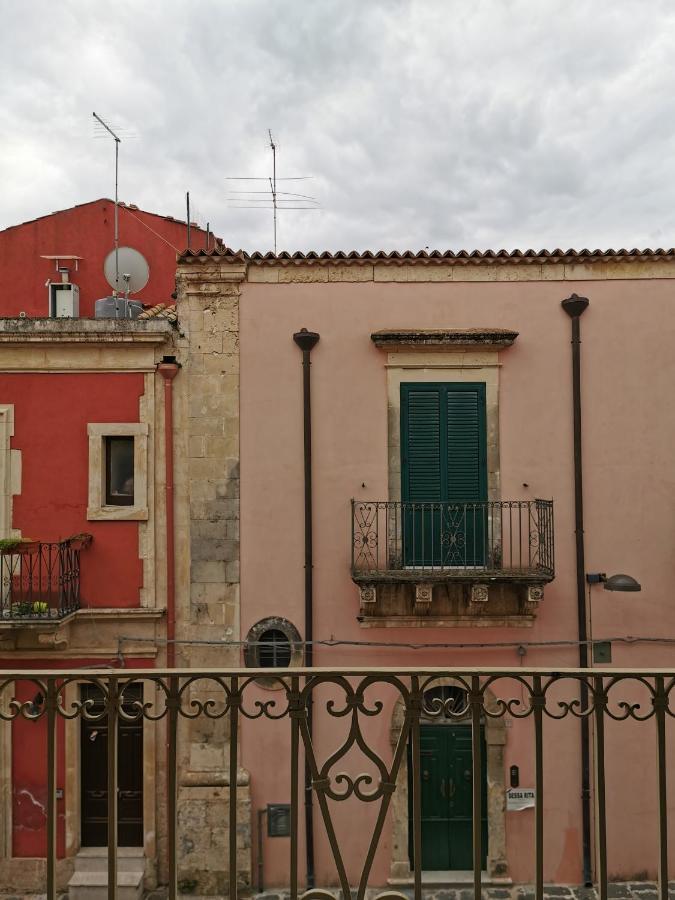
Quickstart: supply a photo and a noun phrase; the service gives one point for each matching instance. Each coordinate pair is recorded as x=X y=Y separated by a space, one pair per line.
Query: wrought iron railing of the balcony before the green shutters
x=509 y=538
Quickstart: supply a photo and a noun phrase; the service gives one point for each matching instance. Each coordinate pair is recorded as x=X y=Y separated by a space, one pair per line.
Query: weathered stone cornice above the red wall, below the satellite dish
x=84 y=331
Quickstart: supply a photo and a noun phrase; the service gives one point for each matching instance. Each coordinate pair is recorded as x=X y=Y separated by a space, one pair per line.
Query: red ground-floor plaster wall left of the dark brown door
x=29 y=764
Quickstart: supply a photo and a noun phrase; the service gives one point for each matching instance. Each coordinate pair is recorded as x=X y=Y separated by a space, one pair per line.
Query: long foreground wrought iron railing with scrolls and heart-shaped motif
x=354 y=698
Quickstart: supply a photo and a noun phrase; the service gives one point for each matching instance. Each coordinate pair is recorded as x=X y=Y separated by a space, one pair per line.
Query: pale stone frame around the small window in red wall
x=97 y=509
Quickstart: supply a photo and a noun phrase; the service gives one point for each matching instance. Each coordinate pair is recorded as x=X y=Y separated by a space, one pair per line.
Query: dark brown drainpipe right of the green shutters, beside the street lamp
x=574 y=306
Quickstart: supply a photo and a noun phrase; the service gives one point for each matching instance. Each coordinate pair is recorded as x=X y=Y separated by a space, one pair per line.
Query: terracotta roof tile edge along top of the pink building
x=460 y=257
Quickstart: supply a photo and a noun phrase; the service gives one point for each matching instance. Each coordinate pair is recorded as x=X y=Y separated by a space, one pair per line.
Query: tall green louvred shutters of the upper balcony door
x=444 y=474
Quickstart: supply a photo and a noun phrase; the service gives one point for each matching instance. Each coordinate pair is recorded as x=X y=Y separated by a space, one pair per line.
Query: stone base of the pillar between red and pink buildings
x=203 y=840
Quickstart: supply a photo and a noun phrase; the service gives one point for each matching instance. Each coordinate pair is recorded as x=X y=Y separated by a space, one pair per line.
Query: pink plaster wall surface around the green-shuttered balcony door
x=629 y=433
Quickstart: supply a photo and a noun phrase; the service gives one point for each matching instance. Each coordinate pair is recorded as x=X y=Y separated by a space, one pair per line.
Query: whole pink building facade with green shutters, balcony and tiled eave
x=448 y=380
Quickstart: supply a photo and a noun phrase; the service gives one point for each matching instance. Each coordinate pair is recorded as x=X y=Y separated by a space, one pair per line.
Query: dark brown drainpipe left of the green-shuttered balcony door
x=306 y=340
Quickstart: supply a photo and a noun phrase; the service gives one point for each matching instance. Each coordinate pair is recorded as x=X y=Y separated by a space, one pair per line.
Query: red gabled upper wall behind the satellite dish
x=87 y=231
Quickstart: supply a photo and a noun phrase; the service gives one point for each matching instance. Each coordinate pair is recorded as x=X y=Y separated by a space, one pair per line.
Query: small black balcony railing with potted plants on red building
x=40 y=580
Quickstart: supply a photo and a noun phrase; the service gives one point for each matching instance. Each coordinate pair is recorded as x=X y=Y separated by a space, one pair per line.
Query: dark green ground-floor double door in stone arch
x=446 y=786
